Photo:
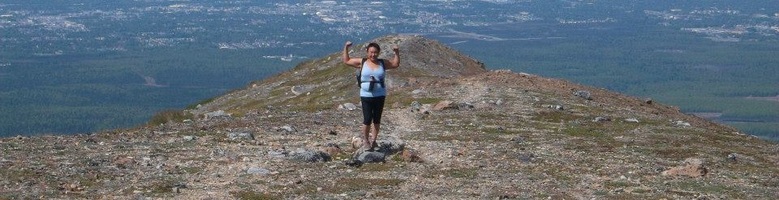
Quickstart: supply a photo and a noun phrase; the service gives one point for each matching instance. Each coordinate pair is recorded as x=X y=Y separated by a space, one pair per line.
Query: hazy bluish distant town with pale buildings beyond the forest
x=60 y=28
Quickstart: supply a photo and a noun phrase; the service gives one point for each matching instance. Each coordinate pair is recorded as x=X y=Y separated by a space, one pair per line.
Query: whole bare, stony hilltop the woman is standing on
x=451 y=130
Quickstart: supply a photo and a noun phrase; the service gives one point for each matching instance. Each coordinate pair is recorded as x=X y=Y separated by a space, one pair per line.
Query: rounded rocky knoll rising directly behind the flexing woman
x=323 y=83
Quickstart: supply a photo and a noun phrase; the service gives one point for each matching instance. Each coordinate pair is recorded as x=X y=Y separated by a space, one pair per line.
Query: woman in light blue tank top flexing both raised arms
x=372 y=87
